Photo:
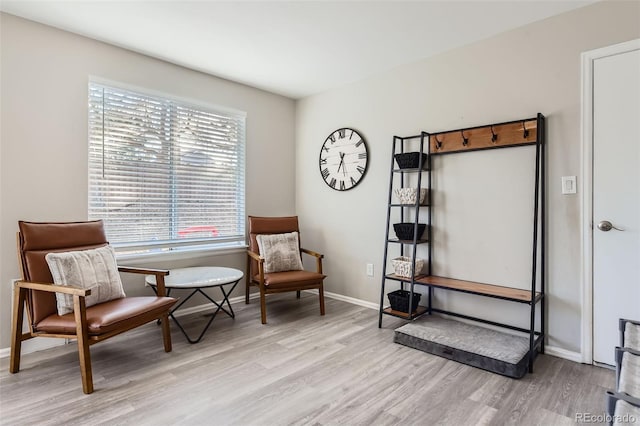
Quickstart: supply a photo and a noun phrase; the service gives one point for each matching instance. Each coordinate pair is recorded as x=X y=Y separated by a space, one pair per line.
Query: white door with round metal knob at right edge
x=616 y=198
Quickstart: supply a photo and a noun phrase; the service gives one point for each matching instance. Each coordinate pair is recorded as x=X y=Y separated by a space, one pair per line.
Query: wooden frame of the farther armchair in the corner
x=259 y=279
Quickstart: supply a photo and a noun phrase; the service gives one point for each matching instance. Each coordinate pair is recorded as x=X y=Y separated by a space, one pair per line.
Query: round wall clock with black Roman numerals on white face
x=343 y=159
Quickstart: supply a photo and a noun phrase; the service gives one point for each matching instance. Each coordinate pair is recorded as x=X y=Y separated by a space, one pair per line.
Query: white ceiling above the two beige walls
x=293 y=48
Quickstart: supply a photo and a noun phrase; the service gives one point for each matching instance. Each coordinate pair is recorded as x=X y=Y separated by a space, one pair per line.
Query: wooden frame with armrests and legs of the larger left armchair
x=22 y=304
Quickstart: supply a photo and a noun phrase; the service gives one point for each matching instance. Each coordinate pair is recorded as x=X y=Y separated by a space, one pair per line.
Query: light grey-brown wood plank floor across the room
x=299 y=369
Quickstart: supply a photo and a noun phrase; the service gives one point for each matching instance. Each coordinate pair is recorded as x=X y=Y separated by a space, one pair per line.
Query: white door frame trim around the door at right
x=586 y=215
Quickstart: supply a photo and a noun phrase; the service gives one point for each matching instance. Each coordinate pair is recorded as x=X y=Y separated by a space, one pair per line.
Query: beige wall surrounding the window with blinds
x=43 y=151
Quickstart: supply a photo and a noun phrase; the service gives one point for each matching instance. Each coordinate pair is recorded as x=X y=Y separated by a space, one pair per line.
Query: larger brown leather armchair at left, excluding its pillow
x=88 y=325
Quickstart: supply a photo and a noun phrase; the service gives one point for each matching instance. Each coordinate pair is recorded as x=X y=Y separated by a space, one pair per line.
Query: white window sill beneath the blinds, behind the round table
x=182 y=253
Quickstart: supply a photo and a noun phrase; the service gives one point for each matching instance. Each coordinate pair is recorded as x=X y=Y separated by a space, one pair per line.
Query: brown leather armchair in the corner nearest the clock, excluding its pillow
x=278 y=282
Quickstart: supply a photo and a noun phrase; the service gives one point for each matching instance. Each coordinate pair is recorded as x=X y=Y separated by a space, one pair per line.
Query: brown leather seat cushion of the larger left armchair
x=109 y=316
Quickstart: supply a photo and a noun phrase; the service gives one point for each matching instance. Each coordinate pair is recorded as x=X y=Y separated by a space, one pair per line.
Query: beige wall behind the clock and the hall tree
x=532 y=69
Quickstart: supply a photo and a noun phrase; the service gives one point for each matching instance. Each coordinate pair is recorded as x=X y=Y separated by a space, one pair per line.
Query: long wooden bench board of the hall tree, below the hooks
x=490 y=290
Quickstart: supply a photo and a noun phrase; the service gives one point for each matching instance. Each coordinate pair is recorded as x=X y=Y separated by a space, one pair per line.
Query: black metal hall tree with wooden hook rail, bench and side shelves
x=526 y=132
